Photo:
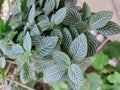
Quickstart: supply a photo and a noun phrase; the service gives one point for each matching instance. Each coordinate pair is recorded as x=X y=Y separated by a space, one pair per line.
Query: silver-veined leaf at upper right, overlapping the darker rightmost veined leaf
x=100 y=19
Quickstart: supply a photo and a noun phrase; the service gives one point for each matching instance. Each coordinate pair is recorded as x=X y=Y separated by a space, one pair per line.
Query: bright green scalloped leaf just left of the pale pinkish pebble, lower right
x=101 y=61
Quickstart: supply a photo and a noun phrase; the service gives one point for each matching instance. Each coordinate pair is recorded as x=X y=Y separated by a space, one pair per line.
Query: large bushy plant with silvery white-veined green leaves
x=52 y=37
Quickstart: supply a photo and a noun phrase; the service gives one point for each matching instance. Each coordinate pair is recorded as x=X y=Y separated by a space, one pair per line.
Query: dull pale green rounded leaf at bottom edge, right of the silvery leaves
x=94 y=80
